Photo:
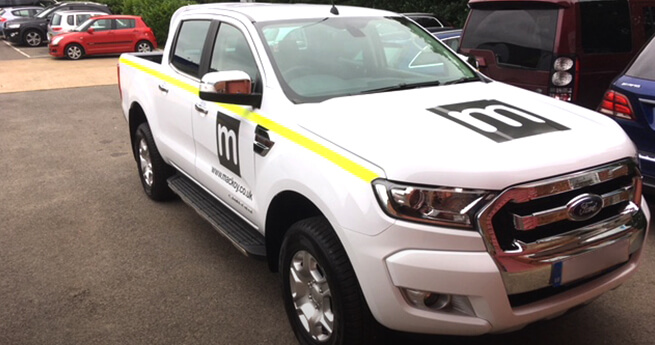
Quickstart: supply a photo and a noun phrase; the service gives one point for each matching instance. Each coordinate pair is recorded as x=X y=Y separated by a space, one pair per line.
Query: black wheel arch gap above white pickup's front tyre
x=285 y=209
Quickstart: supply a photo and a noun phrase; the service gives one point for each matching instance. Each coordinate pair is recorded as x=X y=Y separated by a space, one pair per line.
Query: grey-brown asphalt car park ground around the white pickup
x=86 y=258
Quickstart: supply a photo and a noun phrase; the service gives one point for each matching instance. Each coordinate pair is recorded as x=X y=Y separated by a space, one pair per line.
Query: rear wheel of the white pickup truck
x=153 y=171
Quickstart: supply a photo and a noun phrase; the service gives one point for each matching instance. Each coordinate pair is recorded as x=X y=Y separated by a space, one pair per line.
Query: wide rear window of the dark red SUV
x=519 y=37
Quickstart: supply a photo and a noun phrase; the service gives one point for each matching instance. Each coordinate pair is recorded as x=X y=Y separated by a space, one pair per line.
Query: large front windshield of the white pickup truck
x=318 y=59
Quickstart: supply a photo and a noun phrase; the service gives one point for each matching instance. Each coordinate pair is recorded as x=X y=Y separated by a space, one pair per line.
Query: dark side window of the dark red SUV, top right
x=605 y=27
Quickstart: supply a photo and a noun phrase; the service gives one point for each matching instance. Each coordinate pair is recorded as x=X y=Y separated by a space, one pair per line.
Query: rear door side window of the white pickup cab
x=188 y=46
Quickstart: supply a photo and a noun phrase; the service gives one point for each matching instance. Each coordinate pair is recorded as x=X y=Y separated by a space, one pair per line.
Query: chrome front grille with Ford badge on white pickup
x=531 y=227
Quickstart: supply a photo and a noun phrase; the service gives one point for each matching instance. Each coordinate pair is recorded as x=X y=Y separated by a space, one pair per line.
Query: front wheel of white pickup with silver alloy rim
x=322 y=297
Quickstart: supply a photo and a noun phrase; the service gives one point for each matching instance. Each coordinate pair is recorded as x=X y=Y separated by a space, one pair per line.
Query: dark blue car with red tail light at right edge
x=630 y=100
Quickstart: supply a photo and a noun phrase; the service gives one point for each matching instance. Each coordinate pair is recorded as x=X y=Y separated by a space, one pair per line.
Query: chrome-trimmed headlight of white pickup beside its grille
x=432 y=205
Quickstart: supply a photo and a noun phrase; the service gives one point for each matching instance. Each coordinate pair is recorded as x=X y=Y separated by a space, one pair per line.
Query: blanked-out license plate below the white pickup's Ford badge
x=587 y=264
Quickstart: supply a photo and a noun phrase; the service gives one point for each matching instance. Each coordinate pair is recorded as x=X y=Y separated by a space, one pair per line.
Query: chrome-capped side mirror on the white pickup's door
x=229 y=87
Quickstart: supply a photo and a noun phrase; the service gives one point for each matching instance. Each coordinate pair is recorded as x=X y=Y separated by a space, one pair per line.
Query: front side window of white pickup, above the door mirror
x=231 y=52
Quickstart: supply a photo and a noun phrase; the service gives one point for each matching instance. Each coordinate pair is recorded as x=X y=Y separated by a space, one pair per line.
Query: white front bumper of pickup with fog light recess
x=473 y=277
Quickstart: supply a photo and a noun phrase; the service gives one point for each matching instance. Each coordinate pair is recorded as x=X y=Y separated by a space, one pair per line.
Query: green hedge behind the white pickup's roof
x=157 y=13
